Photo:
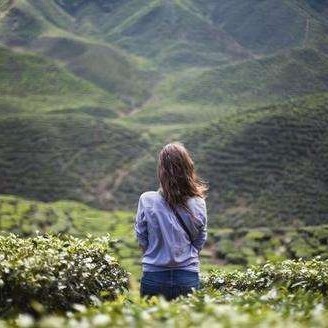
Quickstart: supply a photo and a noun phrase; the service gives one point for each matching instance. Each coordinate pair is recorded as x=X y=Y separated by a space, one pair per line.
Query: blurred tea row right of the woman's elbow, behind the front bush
x=241 y=246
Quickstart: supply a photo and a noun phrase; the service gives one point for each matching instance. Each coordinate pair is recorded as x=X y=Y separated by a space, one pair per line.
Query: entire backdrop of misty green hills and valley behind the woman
x=90 y=91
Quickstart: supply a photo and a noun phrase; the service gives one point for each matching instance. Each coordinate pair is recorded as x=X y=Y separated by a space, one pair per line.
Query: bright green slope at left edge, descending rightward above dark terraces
x=30 y=83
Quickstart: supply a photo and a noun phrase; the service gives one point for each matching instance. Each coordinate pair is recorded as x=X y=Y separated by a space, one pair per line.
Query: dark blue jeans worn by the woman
x=170 y=283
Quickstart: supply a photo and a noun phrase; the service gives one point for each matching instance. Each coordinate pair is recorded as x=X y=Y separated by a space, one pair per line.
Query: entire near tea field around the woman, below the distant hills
x=66 y=281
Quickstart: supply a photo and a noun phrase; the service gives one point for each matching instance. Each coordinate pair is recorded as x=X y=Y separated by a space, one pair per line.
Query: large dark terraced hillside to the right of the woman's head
x=266 y=167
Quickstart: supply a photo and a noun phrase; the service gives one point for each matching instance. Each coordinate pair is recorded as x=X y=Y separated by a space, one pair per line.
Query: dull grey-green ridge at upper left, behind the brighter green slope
x=105 y=66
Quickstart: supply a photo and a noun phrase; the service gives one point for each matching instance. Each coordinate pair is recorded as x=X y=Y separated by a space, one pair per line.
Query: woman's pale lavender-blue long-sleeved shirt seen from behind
x=166 y=245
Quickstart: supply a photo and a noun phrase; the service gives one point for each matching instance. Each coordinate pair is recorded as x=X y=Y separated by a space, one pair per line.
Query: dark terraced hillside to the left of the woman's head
x=75 y=157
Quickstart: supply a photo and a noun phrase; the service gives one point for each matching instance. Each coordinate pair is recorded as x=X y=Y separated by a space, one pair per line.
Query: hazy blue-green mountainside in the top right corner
x=268 y=26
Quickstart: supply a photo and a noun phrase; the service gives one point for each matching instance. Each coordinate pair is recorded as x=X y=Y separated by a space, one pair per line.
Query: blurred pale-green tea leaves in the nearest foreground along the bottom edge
x=205 y=308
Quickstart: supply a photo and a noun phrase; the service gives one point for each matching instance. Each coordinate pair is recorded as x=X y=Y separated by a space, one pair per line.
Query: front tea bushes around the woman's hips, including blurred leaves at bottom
x=64 y=282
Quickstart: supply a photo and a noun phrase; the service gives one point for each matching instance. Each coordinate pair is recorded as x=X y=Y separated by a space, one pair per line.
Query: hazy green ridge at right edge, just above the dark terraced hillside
x=266 y=80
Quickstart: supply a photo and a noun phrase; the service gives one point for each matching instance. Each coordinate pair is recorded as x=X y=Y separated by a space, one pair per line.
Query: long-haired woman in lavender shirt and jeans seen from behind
x=171 y=226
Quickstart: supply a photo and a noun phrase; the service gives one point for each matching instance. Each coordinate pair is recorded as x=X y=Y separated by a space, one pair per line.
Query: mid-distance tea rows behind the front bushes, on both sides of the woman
x=229 y=247
